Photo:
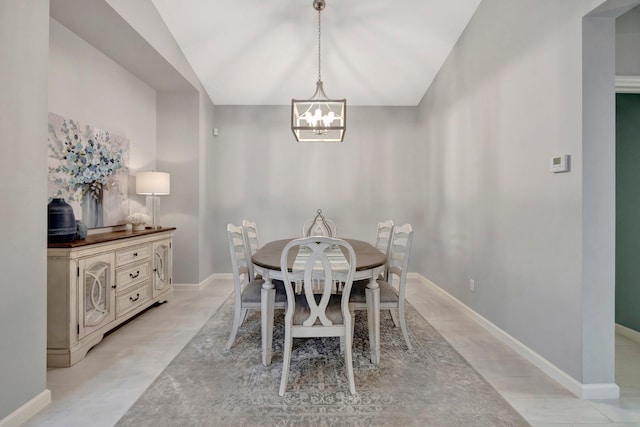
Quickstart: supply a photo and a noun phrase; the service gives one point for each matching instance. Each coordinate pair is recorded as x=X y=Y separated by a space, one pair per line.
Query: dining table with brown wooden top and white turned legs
x=370 y=263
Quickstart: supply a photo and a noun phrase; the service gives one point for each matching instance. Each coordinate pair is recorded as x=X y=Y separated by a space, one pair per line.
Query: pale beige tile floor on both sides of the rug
x=99 y=390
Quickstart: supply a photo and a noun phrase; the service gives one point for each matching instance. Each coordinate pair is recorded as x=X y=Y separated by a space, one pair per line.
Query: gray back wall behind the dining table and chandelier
x=260 y=173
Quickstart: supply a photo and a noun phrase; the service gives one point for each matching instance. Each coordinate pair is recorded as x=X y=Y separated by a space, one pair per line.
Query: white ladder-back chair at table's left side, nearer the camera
x=247 y=290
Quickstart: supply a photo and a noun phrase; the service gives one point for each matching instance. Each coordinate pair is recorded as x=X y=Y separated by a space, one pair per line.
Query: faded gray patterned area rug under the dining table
x=432 y=385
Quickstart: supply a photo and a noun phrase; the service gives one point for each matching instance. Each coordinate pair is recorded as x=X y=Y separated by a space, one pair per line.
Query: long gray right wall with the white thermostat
x=538 y=245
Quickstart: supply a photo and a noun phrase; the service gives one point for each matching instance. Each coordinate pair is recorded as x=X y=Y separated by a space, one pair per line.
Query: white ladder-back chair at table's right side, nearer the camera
x=392 y=288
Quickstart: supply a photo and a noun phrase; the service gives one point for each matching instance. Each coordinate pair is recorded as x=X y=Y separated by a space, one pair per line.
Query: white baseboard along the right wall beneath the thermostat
x=584 y=391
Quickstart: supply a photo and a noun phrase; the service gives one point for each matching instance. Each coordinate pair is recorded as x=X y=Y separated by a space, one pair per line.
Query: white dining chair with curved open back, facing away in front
x=316 y=311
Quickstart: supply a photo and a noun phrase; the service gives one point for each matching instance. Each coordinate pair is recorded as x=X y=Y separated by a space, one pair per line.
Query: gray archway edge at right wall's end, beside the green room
x=598 y=199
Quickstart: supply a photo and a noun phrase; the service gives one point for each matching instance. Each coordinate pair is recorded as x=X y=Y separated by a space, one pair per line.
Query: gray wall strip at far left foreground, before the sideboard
x=24 y=38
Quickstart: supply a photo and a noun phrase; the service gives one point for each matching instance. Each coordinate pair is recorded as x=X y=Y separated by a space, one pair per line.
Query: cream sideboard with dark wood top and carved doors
x=95 y=284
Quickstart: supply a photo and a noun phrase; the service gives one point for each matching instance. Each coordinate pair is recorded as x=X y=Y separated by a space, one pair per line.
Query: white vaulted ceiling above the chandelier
x=375 y=52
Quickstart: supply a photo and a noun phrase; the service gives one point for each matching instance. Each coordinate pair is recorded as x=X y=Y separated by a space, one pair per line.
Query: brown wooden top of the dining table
x=268 y=256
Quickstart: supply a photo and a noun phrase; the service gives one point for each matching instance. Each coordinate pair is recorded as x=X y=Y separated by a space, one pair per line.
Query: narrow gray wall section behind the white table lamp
x=184 y=144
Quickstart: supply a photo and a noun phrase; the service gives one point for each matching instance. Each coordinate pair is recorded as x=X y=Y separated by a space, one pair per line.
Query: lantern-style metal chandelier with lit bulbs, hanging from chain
x=319 y=118
